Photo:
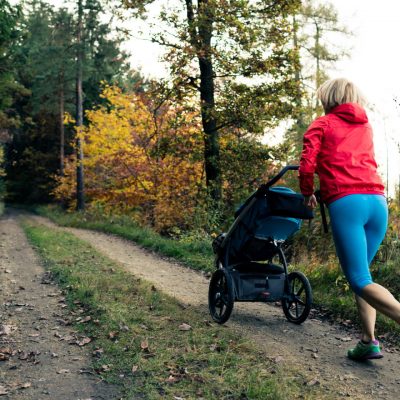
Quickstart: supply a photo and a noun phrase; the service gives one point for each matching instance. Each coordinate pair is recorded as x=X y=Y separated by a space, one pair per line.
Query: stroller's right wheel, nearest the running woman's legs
x=297 y=300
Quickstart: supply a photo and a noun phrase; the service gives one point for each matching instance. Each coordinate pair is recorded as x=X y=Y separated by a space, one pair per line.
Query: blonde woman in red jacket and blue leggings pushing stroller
x=339 y=148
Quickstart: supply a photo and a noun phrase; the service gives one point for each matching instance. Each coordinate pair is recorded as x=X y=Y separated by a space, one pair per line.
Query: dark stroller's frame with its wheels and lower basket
x=257 y=282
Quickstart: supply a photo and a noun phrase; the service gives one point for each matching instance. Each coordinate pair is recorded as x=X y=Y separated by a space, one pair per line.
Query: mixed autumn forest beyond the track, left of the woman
x=83 y=129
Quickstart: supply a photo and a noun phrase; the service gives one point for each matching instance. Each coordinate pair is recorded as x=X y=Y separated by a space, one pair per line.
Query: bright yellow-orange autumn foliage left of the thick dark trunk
x=140 y=156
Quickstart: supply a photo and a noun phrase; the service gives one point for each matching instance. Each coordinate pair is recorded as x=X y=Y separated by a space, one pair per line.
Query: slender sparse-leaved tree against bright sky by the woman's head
x=316 y=34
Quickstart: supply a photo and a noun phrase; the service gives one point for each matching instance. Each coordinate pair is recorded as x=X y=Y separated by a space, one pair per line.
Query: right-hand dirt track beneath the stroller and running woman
x=316 y=346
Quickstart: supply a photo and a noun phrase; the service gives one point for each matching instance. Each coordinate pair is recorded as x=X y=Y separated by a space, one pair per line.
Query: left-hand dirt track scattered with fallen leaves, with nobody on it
x=37 y=360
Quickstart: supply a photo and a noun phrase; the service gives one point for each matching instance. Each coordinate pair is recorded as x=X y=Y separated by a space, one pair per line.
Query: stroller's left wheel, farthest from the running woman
x=220 y=296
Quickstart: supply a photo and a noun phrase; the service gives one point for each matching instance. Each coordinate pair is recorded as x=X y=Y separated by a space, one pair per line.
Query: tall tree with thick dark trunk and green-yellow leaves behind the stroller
x=236 y=56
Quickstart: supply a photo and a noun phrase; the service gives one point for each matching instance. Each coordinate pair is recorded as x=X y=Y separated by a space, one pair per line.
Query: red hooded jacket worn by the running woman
x=339 y=148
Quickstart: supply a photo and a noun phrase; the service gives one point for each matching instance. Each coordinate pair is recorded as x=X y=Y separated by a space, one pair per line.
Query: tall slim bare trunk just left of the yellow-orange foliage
x=80 y=202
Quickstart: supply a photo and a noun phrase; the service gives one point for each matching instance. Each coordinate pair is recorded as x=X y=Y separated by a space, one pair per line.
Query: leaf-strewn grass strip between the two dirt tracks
x=137 y=336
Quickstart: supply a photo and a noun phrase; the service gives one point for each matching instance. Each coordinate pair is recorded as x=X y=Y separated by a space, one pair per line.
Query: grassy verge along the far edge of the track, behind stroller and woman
x=330 y=290
